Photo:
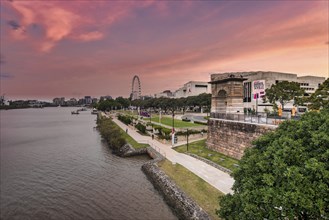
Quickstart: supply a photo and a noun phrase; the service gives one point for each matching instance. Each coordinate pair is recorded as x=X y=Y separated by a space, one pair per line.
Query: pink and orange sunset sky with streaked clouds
x=76 y=48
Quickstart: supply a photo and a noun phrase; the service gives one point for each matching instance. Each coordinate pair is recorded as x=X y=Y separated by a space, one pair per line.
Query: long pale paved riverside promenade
x=217 y=178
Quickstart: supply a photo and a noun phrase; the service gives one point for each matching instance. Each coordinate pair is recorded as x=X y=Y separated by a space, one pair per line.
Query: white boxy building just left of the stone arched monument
x=192 y=88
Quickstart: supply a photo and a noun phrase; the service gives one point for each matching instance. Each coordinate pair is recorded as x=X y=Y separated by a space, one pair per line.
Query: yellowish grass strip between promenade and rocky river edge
x=199 y=190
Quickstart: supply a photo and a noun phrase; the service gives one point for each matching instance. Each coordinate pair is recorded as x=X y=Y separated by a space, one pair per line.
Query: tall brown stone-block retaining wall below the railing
x=233 y=137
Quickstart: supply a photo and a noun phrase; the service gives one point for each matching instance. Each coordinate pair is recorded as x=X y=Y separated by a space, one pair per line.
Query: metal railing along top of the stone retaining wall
x=258 y=119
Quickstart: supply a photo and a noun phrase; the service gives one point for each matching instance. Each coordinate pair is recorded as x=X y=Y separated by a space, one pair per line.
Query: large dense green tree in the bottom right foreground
x=285 y=175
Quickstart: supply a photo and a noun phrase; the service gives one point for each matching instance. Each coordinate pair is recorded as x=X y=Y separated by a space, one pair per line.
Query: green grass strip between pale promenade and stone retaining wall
x=198 y=148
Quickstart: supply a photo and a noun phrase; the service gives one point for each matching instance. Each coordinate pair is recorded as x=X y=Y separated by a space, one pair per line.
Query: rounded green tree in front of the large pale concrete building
x=284 y=92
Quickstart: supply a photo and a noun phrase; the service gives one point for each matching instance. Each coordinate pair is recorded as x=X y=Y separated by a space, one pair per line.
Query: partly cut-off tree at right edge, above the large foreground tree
x=320 y=99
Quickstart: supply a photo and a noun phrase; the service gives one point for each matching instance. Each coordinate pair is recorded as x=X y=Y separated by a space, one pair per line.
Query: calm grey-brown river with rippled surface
x=54 y=166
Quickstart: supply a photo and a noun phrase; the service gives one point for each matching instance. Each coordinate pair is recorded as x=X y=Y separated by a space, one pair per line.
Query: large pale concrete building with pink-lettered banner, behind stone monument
x=257 y=82
